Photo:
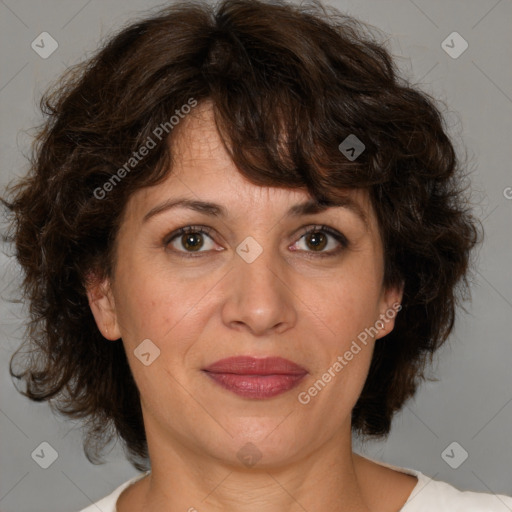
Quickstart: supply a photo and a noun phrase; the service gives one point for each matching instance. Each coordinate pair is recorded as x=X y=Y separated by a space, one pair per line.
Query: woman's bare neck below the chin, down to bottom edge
x=183 y=479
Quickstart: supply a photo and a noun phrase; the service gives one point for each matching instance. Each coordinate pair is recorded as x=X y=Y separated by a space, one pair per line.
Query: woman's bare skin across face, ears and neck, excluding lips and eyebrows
x=284 y=303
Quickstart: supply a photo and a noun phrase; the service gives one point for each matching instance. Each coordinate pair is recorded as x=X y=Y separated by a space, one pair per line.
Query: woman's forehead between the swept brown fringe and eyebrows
x=205 y=179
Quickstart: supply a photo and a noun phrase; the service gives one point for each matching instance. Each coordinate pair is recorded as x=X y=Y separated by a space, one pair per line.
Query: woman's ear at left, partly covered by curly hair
x=101 y=302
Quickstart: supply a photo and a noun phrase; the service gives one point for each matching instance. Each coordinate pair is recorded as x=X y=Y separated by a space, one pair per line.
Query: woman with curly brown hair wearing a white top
x=242 y=235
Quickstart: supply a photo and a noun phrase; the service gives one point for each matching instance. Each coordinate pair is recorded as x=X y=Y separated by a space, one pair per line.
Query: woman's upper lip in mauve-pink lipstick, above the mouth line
x=248 y=365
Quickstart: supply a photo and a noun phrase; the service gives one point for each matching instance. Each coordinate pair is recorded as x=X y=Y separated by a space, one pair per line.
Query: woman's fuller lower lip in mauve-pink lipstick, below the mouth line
x=256 y=386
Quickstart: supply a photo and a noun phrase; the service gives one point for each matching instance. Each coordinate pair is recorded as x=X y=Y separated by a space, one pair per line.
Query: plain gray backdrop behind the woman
x=471 y=403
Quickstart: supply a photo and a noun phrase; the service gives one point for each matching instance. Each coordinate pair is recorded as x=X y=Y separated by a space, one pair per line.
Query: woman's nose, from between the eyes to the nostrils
x=260 y=296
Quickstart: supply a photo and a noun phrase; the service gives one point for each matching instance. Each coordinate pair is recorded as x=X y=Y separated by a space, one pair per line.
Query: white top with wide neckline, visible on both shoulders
x=427 y=496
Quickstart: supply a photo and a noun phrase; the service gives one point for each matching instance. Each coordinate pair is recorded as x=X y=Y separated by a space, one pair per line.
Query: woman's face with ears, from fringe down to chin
x=254 y=285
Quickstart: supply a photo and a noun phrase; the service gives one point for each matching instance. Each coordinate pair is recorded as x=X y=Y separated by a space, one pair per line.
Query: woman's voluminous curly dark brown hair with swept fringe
x=288 y=84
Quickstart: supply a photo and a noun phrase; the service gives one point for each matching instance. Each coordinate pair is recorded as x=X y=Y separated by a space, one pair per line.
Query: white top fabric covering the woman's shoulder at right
x=440 y=496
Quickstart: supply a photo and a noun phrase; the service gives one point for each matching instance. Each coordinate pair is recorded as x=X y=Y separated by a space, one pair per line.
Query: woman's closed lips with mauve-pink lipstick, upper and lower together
x=257 y=378
